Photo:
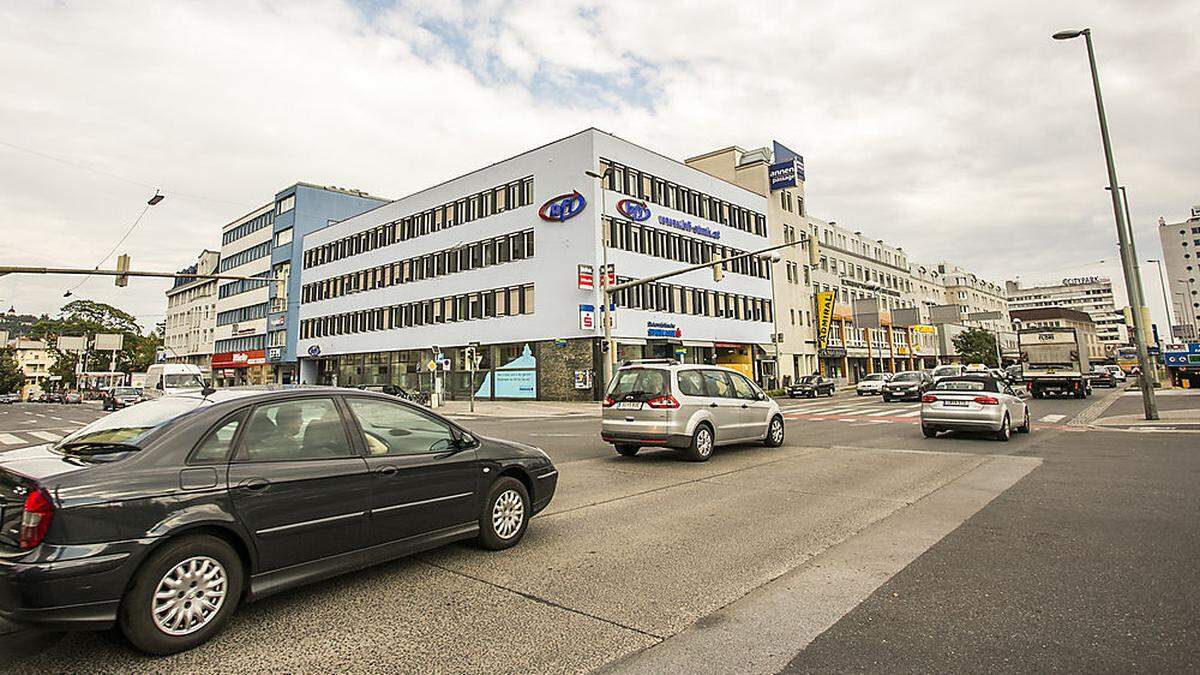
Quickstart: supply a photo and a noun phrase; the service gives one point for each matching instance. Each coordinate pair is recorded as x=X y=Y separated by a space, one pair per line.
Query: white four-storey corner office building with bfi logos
x=509 y=258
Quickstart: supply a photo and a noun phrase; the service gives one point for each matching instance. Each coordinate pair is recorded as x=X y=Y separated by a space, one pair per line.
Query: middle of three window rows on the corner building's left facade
x=485 y=253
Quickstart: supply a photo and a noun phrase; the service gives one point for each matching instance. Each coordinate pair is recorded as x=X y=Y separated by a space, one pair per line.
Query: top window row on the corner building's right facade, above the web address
x=643 y=186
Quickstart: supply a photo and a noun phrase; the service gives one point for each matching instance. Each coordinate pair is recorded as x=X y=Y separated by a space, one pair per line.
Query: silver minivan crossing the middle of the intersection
x=693 y=408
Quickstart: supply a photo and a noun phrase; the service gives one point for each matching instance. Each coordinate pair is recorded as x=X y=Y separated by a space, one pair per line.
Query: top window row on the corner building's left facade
x=475 y=207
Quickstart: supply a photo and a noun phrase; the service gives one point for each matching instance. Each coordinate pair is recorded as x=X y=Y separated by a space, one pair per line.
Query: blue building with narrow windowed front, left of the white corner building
x=301 y=210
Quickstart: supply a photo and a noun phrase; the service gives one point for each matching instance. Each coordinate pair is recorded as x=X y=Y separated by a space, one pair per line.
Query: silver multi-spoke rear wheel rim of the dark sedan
x=189 y=596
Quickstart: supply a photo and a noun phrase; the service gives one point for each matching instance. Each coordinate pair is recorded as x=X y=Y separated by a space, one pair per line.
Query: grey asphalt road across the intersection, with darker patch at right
x=860 y=546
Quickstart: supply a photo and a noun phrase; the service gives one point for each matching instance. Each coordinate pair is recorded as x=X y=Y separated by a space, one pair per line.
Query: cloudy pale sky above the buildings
x=957 y=130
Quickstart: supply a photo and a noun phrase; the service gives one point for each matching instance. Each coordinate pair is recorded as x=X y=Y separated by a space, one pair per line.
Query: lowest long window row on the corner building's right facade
x=688 y=301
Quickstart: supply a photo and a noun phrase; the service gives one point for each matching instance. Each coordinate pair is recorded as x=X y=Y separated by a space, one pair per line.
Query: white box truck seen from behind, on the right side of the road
x=1054 y=361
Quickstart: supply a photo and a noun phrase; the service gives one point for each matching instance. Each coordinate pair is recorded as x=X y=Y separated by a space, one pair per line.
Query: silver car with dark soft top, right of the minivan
x=974 y=403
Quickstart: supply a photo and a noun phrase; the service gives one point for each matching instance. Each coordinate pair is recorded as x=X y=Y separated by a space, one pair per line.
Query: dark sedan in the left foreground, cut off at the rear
x=163 y=517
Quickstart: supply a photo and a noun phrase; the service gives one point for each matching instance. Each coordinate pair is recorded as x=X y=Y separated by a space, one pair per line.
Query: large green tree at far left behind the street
x=87 y=319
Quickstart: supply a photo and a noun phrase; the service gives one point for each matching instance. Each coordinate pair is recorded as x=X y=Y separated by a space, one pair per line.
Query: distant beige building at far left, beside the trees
x=193 y=314
